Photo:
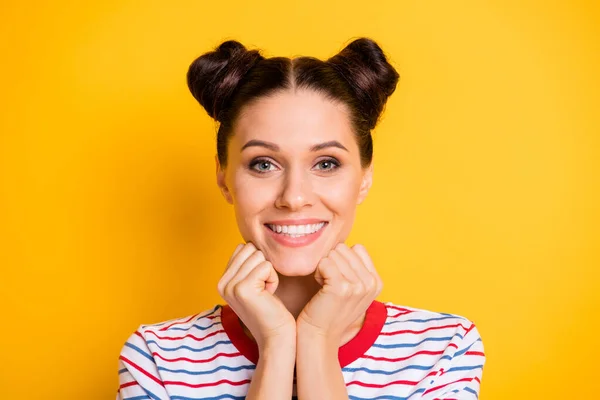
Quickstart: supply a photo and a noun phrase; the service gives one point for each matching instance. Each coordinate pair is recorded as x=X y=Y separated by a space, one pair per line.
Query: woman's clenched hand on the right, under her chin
x=350 y=284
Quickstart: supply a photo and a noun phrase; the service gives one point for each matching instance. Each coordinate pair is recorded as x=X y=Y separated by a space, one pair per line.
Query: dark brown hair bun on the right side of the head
x=372 y=78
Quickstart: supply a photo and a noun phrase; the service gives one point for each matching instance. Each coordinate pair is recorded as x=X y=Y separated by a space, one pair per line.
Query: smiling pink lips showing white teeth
x=296 y=233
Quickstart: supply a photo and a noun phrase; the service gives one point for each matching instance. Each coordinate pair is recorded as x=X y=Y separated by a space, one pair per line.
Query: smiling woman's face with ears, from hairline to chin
x=294 y=177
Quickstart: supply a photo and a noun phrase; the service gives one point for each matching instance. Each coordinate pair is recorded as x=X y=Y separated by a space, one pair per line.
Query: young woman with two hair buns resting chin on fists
x=294 y=157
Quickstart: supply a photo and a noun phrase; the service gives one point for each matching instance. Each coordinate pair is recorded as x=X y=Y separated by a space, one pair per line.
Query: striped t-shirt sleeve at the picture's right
x=462 y=379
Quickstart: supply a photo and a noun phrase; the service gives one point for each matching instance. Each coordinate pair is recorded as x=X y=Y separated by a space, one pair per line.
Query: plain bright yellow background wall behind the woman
x=485 y=201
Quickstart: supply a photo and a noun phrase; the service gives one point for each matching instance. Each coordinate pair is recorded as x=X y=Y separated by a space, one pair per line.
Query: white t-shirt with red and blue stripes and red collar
x=399 y=353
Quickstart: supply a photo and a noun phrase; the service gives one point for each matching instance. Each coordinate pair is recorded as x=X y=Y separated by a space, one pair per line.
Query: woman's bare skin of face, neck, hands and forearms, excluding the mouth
x=300 y=304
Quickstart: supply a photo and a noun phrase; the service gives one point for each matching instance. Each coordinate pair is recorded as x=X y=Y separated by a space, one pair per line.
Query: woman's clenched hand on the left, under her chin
x=248 y=285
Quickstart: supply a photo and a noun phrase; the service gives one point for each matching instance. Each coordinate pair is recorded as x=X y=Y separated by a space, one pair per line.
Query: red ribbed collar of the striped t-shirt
x=351 y=351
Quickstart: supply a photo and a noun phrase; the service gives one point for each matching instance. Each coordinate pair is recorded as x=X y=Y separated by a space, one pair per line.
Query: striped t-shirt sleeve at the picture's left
x=138 y=373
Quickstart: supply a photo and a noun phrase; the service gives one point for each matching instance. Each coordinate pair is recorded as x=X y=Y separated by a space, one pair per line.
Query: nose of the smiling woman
x=296 y=191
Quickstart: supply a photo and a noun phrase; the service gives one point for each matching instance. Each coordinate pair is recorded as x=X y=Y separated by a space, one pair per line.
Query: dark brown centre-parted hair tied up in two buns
x=231 y=76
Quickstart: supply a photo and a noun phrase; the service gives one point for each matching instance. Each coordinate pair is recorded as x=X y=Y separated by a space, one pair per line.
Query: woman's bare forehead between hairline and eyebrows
x=294 y=120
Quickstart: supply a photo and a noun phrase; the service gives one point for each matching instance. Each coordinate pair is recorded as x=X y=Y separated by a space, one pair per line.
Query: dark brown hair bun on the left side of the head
x=214 y=76
